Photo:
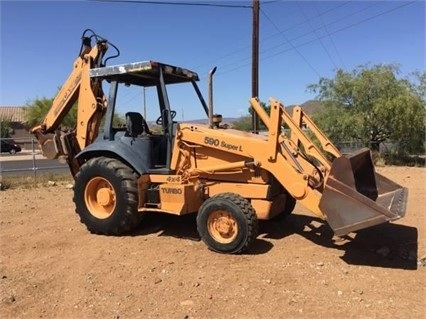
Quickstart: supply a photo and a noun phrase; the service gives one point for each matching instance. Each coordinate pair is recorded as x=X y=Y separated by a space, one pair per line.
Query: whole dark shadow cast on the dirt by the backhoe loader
x=387 y=245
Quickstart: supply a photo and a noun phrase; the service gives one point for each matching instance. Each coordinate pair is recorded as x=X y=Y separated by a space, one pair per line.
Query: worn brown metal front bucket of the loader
x=356 y=197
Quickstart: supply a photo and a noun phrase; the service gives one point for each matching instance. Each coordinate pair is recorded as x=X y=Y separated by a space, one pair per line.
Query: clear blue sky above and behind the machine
x=300 y=42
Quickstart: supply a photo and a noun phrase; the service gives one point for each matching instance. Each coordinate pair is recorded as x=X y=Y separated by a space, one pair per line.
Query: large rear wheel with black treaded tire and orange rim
x=106 y=196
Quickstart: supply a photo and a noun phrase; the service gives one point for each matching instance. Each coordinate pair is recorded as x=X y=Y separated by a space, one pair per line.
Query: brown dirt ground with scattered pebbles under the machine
x=52 y=267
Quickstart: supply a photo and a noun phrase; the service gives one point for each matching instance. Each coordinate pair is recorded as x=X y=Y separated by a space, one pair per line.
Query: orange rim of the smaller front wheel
x=222 y=226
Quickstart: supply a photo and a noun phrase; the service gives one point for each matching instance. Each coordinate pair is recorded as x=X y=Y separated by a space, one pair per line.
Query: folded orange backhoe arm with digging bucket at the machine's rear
x=91 y=105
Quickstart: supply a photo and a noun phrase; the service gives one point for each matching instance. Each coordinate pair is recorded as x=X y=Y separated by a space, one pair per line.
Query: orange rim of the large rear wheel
x=100 y=197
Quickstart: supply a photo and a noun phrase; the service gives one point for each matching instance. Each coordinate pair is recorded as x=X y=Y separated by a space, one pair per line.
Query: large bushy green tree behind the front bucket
x=372 y=105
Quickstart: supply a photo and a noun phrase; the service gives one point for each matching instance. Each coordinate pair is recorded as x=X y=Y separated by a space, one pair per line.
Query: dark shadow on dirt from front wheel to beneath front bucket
x=387 y=245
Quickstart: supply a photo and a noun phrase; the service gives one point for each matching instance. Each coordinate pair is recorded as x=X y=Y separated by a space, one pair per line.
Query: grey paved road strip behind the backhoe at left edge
x=26 y=163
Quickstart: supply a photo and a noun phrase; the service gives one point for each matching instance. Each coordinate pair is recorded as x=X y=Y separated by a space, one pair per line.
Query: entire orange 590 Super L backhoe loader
x=229 y=178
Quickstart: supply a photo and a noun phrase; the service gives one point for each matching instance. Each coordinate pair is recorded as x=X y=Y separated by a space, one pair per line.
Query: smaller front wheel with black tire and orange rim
x=227 y=223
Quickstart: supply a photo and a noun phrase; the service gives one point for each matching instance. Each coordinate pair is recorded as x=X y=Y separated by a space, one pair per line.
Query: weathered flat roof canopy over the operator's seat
x=146 y=73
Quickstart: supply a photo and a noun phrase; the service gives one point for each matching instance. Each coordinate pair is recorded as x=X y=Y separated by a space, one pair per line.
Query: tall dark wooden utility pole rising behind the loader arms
x=255 y=64
